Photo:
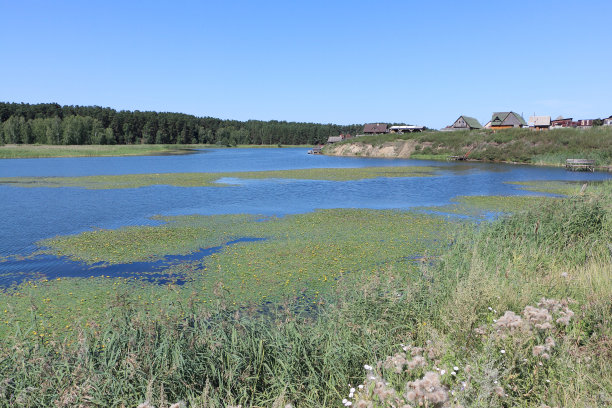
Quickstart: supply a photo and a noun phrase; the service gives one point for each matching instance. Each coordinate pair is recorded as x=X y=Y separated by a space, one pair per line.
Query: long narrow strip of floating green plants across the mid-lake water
x=212 y=179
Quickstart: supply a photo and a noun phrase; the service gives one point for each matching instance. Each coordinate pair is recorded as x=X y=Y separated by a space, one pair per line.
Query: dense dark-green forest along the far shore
x=51 y=123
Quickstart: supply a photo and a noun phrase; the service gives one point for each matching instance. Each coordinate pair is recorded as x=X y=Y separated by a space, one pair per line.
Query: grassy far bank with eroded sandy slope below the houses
x=509 y=145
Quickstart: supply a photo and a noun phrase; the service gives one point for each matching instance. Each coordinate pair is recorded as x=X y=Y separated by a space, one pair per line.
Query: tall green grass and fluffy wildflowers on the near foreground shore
x=448 y=314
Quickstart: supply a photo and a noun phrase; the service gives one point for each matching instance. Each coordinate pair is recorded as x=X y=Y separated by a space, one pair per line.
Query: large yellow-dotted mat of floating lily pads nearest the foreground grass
x=303 y=256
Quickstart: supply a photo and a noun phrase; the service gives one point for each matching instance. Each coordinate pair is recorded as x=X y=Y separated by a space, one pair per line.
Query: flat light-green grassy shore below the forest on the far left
x=39 y=151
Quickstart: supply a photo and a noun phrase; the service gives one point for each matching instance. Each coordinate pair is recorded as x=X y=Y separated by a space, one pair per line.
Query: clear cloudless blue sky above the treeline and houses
x=417 y=62
